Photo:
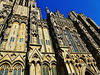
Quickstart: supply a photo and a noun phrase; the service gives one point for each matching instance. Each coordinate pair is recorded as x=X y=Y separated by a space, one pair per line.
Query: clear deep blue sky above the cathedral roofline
x=90 y=8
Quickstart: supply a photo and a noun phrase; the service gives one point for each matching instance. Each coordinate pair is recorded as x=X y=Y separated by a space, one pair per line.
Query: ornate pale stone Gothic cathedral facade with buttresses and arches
x=30 y=45
